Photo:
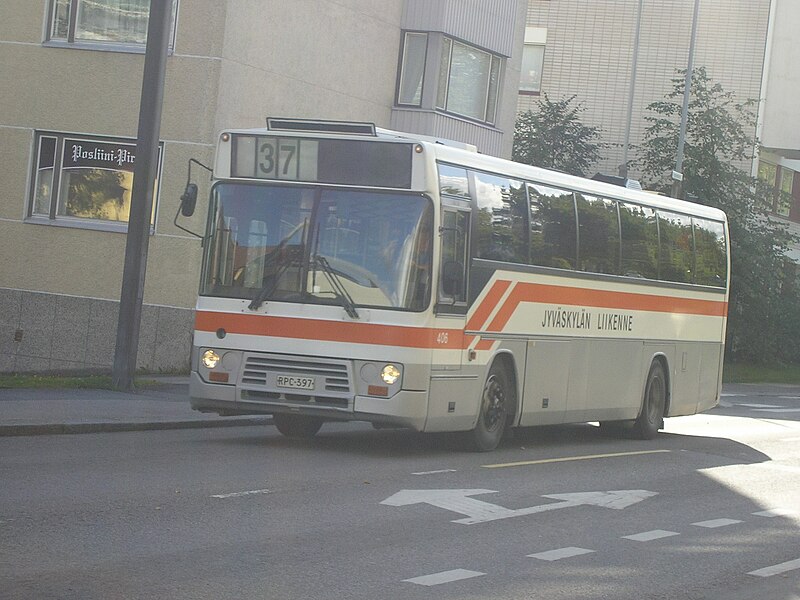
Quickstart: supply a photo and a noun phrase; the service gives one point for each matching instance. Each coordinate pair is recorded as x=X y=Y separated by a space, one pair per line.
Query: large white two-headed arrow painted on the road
x=478 y=511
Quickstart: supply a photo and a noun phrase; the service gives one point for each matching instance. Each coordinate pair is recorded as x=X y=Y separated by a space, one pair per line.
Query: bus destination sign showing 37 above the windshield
x=372 y=163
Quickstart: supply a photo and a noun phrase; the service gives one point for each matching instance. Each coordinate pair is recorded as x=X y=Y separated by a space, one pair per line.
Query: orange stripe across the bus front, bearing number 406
x=331 y=331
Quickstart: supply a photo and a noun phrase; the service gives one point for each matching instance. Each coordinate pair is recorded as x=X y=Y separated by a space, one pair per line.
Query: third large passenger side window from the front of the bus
x=598 y=234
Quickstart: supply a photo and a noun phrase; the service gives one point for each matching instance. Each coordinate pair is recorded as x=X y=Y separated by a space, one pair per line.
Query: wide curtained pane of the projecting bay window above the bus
x=468 y=81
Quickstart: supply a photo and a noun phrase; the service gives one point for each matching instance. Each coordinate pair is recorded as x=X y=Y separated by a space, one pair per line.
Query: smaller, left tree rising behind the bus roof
x=554 y=137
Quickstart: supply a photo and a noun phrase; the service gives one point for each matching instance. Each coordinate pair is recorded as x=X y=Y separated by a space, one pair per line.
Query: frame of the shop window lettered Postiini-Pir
x=52 y=217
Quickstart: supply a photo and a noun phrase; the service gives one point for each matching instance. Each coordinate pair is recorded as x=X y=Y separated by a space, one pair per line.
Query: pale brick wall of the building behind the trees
x=590 y=48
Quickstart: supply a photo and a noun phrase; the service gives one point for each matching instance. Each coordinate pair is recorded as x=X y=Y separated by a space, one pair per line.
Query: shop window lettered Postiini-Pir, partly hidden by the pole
x=84 y=181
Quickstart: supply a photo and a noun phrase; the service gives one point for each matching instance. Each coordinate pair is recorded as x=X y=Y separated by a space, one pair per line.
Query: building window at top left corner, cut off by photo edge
x=103 y=23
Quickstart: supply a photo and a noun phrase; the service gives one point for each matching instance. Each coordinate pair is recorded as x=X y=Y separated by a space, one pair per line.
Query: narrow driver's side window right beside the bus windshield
x=452 y=283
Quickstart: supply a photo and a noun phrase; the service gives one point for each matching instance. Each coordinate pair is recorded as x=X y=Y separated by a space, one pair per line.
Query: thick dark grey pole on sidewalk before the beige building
x=144 y=174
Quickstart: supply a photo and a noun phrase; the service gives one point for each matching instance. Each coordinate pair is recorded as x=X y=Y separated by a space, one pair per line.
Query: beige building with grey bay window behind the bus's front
x=71 y=73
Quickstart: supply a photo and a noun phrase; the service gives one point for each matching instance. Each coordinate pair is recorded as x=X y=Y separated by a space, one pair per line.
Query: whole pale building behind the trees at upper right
x=573 y=47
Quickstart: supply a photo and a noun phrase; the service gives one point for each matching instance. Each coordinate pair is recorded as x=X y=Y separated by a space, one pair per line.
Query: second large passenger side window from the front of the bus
x=553 y=234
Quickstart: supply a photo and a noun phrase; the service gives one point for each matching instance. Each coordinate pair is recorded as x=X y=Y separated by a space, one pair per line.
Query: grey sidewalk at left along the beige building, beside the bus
x=53 y=411
